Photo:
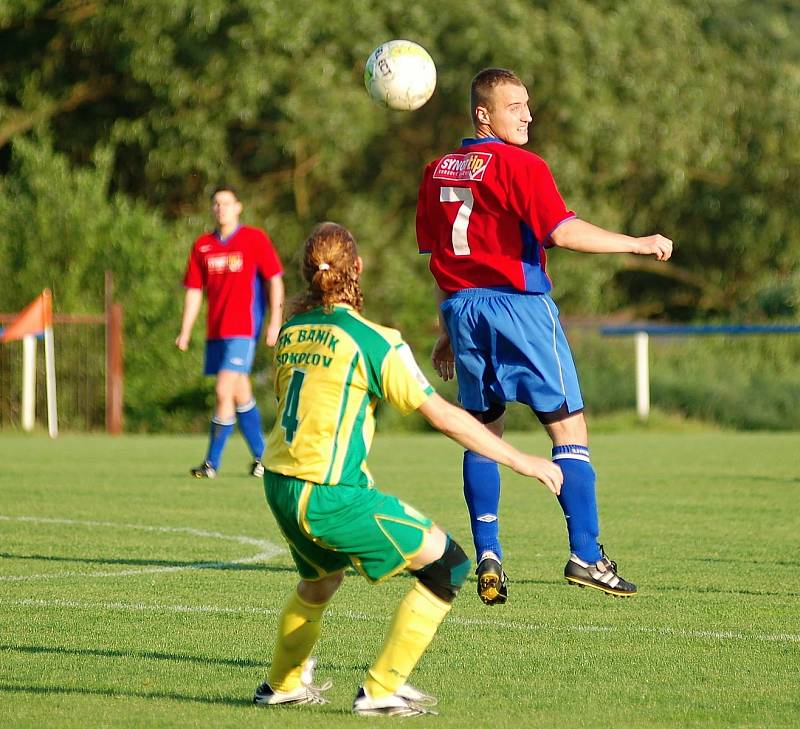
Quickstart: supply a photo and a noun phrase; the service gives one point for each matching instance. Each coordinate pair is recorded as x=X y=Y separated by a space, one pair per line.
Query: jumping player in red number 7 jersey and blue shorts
x=486 y=214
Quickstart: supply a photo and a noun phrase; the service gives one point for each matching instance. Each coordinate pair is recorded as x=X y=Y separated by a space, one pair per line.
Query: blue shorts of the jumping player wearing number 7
x=510 y=347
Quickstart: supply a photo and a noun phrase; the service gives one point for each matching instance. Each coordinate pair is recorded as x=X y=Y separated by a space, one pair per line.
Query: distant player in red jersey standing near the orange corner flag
x=240 y=272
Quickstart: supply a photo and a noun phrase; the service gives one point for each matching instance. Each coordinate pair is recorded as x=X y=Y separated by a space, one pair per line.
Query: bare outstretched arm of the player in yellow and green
x=465 y=430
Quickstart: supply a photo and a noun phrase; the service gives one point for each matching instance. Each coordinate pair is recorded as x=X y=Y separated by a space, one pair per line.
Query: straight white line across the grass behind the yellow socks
x=362 y=617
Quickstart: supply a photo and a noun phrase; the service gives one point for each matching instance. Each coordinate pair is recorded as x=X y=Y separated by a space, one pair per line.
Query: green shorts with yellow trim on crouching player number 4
x=330 y=528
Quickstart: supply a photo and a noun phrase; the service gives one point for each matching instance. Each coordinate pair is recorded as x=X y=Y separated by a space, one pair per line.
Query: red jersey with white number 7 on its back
x=485 y=214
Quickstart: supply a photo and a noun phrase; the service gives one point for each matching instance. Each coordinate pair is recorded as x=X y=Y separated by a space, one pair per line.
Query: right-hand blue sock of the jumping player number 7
x=578 y=500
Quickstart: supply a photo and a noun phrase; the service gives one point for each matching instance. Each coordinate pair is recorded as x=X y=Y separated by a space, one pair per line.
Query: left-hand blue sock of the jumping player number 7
x=482 y=493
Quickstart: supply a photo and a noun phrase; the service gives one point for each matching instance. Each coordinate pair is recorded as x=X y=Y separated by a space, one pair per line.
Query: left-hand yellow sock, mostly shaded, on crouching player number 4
x=298 y=630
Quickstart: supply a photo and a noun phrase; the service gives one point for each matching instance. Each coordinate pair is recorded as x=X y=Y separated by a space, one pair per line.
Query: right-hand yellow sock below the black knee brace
x=413 y=627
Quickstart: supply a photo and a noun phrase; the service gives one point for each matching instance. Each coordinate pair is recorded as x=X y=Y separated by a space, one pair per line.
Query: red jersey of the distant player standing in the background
x=233 y=273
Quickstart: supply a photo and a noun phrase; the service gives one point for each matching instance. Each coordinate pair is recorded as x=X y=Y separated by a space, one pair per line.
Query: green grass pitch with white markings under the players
x=133 y=596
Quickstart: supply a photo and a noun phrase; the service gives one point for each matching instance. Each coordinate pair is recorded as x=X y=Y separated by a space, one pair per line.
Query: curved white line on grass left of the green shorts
x=268 y=549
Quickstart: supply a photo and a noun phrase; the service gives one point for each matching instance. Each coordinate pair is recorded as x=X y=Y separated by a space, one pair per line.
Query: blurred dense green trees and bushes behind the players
x=117 y=118
